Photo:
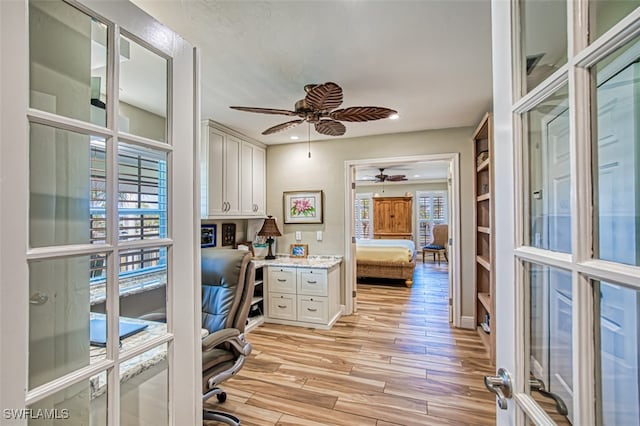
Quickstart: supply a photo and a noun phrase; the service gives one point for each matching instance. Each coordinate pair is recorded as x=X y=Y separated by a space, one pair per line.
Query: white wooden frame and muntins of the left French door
x=185 y=400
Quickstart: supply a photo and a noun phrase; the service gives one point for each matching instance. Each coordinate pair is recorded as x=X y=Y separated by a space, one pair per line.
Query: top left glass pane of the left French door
x=68 y=62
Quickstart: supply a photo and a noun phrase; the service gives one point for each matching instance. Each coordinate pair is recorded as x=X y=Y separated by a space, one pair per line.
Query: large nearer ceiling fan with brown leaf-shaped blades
x=318 y=107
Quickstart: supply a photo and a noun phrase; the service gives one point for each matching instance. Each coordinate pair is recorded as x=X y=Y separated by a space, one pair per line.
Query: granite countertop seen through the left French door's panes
x=137 y=364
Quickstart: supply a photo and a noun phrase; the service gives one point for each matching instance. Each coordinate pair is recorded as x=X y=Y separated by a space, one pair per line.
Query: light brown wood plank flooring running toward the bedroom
x=397 y=361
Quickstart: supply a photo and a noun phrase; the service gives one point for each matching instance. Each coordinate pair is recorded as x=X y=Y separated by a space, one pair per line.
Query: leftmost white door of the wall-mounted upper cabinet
x=215 y=170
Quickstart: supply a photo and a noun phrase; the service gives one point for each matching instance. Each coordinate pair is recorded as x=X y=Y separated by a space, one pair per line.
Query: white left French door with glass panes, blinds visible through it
x=98 y=217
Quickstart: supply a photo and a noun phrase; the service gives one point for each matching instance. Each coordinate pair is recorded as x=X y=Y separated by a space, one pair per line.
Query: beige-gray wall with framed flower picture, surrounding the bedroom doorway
x=289 y=169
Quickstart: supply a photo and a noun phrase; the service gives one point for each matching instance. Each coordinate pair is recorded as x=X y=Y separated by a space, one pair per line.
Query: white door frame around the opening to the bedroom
x=454 y=228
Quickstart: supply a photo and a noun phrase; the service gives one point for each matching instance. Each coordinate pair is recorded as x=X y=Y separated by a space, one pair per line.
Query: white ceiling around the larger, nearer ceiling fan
x=429 y=60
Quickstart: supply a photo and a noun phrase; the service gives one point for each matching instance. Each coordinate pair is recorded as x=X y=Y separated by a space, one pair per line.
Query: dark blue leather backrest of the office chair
x=227 y=288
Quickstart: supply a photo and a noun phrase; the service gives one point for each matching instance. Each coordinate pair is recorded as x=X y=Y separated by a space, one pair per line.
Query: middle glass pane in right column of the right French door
x=616 y=157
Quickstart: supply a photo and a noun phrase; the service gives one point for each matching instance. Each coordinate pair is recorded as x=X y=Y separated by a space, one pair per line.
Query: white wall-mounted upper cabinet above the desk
x=233 y=175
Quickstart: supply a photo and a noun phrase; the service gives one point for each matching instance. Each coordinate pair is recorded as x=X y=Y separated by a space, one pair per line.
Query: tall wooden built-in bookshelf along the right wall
x=484 y=239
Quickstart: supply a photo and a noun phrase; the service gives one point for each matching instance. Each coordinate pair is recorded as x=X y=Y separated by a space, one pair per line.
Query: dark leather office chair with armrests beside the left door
x=227 y=288
